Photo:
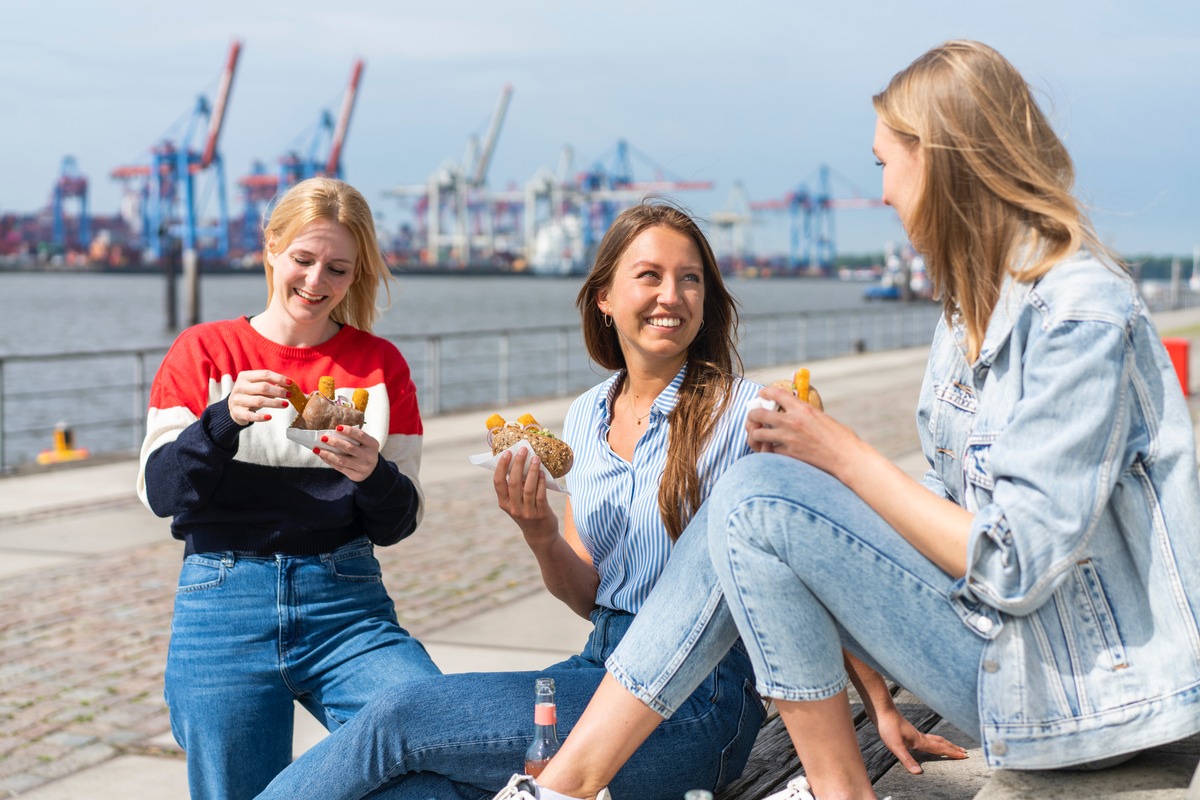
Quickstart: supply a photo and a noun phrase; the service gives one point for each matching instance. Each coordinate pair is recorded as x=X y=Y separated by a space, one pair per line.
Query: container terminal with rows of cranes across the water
x=452 y=221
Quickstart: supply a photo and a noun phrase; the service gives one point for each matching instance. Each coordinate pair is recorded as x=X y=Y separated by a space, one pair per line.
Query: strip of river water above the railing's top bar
x=47 y=312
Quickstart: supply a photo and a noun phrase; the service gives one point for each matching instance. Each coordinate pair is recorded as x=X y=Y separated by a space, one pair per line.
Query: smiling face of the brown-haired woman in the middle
x=657 y=299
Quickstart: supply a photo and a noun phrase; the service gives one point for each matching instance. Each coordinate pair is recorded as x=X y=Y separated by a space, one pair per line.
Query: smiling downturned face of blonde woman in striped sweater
x=311 y=276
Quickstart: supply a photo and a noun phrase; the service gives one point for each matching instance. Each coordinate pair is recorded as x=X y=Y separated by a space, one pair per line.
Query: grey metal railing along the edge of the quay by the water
x=103 y=396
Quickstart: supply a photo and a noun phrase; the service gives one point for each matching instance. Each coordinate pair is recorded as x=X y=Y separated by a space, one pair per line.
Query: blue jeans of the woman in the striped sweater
x=251 y=635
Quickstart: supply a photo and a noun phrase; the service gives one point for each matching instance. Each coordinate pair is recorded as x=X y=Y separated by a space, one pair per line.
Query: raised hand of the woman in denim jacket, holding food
x=801 y=431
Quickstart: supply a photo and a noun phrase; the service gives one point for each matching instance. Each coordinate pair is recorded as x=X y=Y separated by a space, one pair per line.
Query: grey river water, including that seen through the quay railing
x=104 y=399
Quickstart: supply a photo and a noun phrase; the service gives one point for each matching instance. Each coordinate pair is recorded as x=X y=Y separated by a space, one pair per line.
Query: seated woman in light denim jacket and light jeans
x=1042 y=588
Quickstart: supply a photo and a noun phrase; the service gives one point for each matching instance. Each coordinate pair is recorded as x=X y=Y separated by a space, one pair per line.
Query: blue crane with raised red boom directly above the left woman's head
x=323 y=158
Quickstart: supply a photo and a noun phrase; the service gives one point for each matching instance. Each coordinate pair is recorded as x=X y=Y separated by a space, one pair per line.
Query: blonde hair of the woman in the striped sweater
x=326 y=199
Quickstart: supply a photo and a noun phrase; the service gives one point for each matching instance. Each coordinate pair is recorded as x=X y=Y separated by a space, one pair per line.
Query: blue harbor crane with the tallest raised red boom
x=169 y=184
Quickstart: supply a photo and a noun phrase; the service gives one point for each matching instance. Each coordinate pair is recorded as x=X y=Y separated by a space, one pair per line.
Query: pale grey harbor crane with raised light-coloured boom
x=454 y=209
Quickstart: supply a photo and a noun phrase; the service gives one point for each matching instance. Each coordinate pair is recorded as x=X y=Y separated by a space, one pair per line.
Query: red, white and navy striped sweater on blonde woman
x=253 y=490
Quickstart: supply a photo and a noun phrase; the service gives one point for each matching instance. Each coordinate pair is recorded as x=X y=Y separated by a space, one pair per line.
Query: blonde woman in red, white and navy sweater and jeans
x=280 y=598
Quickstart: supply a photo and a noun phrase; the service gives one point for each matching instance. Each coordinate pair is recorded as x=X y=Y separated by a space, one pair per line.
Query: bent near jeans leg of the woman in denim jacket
x=808 y=568
